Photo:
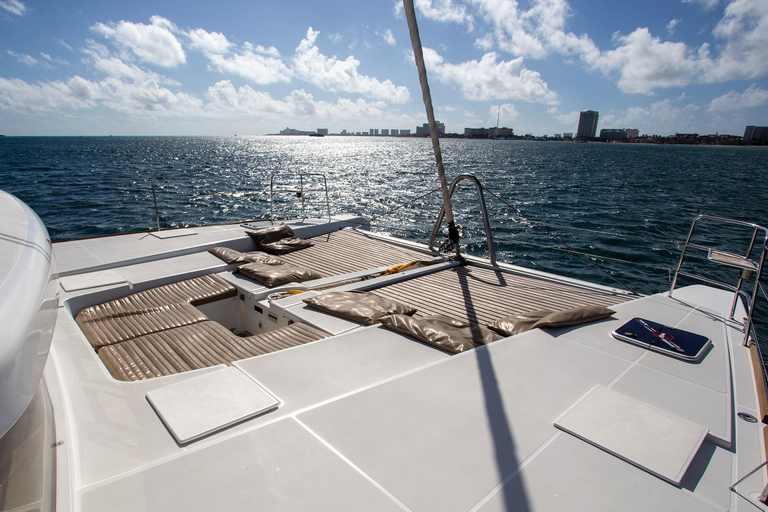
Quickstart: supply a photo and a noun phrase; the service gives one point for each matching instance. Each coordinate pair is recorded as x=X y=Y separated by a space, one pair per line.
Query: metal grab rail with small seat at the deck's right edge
x=748 y=267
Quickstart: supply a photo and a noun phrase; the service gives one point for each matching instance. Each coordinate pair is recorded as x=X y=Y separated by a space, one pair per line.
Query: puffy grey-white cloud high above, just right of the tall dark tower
x=645 y=63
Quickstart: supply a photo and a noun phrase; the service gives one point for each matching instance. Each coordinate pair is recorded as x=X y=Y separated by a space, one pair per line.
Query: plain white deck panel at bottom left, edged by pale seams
x=278 y=467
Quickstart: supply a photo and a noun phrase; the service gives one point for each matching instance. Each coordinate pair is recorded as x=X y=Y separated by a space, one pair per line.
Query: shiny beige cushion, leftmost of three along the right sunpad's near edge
x=363 y=307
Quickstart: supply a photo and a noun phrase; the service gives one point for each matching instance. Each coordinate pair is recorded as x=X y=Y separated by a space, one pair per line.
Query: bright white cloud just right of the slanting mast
x=488 y=79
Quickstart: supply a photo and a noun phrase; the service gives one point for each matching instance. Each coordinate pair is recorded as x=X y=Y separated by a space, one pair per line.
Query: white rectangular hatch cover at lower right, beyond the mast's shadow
x=652 y=439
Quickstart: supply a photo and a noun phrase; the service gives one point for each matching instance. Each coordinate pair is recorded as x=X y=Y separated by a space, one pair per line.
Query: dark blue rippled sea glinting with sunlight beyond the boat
x=624 y=207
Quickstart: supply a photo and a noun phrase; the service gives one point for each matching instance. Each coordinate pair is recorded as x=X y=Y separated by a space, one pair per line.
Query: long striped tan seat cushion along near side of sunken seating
x=195 y=346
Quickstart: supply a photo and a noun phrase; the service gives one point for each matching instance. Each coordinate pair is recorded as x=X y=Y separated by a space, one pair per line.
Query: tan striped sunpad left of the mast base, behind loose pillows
x=347 y=251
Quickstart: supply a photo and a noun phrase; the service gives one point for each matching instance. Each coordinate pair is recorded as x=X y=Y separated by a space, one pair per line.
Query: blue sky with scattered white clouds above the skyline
x=193 y=68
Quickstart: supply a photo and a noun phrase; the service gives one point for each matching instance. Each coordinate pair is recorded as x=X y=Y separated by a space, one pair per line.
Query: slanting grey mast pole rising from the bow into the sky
x=410 y=15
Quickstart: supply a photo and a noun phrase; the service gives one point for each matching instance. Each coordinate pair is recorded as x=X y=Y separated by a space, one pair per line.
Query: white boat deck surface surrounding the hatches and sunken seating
x=373 y=420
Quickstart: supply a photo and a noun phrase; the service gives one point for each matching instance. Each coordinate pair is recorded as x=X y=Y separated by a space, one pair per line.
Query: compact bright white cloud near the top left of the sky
x=154 y=43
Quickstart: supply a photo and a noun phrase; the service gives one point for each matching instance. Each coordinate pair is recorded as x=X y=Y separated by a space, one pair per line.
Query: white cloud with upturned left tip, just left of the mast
x=332 y=74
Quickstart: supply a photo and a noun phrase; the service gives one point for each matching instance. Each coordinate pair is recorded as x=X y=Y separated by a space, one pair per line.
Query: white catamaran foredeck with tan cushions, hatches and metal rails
x=315 y=365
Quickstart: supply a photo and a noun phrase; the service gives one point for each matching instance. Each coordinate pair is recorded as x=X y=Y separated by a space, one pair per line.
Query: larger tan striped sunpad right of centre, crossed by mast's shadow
x=480 y=295
